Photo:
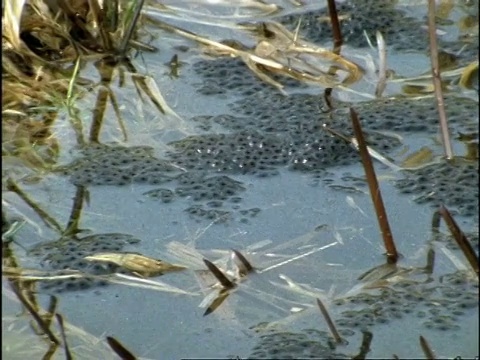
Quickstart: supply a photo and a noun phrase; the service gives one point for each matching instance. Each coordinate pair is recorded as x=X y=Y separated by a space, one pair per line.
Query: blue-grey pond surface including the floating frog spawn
x=237 y=165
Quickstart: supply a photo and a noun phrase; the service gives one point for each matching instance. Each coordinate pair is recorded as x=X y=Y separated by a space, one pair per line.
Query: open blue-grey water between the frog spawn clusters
x=165 y=325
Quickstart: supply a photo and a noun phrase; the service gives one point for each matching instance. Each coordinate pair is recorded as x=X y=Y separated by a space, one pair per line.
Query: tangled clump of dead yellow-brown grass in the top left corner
x=45 y=44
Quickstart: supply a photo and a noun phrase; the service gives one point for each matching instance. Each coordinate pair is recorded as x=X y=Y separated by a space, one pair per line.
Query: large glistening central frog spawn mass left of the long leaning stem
x=277 y=132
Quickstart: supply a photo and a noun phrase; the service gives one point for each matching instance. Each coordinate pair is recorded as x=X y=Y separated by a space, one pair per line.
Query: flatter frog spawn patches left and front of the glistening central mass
x=215 y=197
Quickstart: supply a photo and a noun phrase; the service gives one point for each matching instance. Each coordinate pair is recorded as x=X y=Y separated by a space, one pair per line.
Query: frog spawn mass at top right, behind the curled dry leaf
x=401 y=30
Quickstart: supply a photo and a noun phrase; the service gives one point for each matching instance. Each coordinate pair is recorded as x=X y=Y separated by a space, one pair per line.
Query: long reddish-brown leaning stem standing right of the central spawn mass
x=392 y=255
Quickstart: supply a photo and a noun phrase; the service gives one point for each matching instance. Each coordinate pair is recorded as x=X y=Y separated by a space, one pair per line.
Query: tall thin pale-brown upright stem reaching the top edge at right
x=437 y=80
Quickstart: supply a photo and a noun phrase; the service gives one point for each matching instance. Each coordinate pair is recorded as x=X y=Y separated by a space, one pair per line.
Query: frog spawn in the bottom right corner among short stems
x=440 y=307
